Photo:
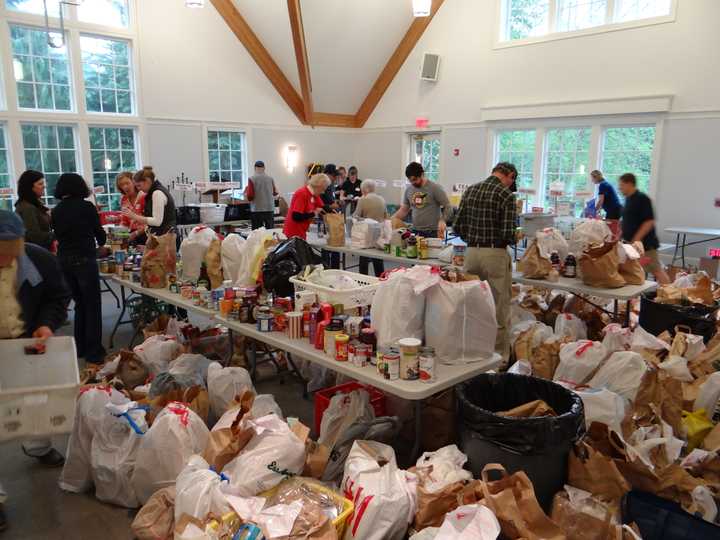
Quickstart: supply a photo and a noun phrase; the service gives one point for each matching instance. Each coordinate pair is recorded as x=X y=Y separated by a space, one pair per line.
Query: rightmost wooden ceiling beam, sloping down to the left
x=403 y=50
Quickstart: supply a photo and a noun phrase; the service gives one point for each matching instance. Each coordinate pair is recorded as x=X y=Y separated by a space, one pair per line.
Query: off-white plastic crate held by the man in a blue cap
x=37 y=392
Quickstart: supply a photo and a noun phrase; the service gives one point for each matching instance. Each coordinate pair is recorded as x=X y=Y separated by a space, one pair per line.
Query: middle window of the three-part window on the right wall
x=566 y=163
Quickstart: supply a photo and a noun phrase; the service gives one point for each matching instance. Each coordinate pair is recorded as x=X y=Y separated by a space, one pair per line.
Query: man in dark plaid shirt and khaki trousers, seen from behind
x=486 y=221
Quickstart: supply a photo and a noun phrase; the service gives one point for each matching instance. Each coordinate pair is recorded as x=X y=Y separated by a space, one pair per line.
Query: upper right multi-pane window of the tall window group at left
x=107 y=74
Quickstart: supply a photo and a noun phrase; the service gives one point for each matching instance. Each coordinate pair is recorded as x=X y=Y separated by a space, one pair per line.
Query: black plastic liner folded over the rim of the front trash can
x=480 y=398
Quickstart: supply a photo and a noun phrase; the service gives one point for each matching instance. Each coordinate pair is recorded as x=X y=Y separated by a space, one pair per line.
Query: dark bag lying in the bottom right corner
x=661 y=519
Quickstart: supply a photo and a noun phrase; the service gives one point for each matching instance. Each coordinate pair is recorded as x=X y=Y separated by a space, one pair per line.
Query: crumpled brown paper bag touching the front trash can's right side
x=592 y=471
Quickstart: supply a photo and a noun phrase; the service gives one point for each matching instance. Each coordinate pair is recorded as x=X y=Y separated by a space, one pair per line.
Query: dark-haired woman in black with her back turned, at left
x=77 y=229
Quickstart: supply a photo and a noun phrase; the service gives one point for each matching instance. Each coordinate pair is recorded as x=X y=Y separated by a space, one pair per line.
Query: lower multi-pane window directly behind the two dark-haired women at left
x=51 y=150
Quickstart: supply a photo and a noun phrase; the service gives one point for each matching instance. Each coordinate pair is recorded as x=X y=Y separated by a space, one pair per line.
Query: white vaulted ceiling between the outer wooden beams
x=348 y=42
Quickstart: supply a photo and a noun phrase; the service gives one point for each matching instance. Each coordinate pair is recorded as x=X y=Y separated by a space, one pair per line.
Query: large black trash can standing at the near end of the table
x=539 y=446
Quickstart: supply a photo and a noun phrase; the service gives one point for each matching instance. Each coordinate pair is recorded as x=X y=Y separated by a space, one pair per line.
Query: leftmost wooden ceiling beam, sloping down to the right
x=259 y=53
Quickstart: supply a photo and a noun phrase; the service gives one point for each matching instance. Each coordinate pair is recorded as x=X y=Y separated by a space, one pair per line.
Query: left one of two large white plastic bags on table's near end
x=398 y=307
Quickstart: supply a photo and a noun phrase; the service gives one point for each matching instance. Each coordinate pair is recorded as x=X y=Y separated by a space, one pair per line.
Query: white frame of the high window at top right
x=502 y=41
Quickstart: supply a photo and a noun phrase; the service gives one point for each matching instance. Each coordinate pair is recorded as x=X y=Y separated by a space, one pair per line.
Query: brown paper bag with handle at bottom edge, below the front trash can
x=512 y=499
